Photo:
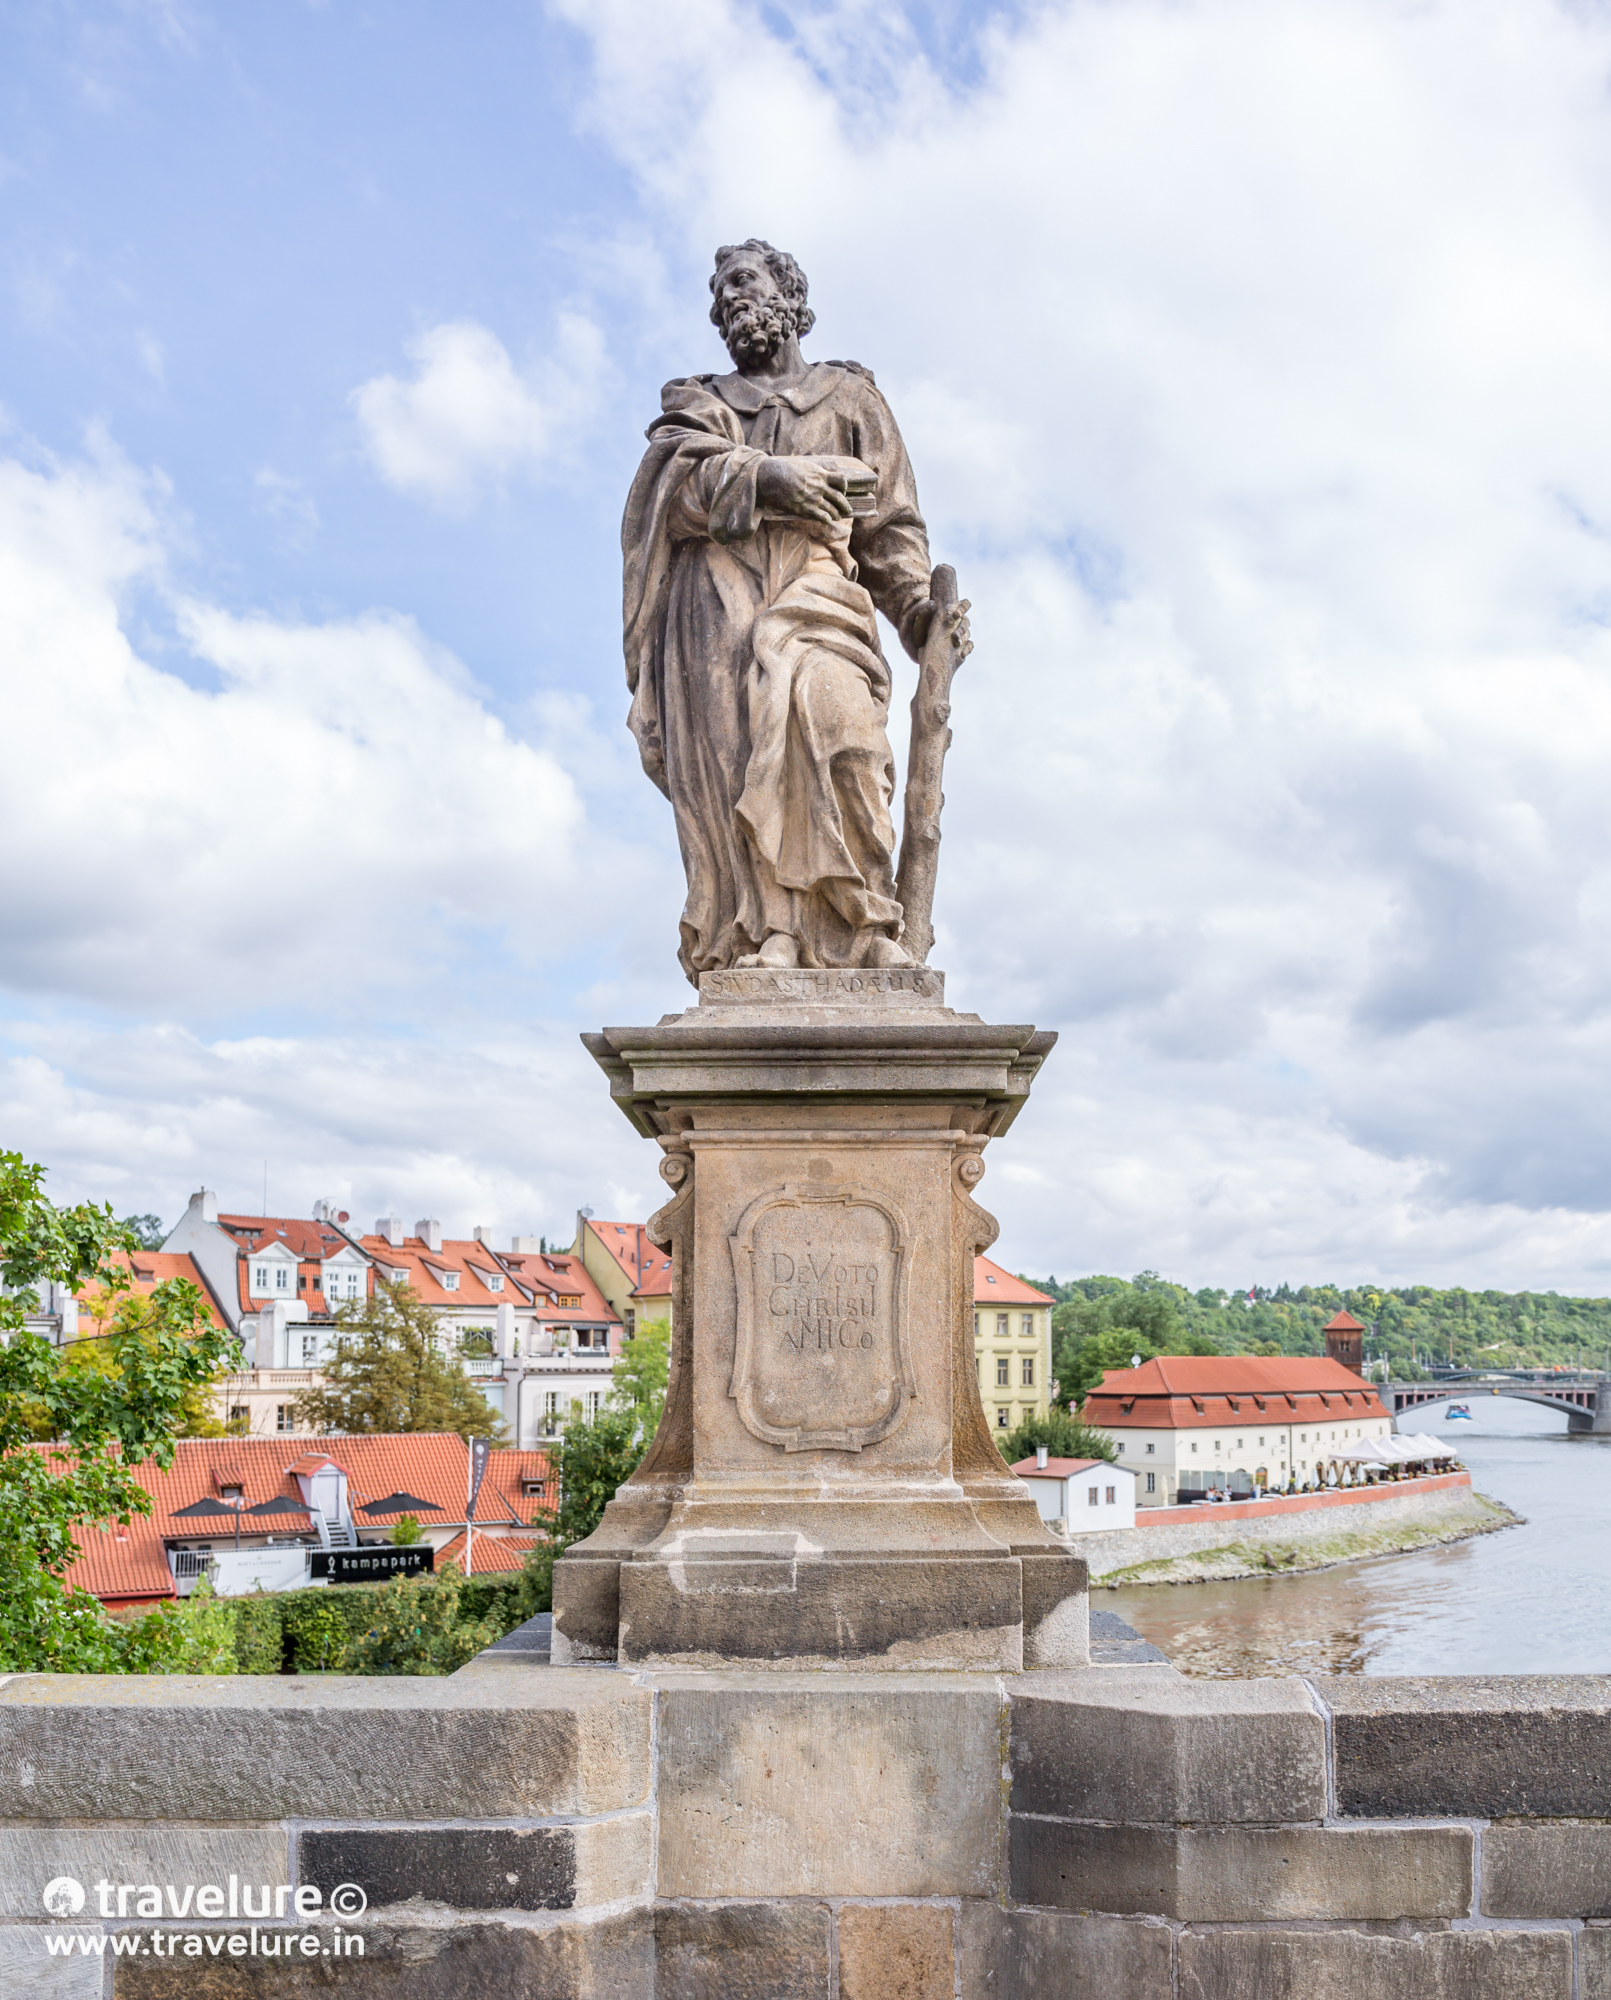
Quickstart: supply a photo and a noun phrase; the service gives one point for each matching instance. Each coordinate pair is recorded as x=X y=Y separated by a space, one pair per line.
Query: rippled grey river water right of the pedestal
x=1526 y=1601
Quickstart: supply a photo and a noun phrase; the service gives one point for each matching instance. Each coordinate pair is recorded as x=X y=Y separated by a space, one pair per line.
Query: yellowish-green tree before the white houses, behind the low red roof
x=389 y=1375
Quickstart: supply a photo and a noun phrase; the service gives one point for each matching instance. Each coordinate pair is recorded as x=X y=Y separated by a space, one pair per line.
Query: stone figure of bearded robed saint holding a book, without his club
x=775 y=513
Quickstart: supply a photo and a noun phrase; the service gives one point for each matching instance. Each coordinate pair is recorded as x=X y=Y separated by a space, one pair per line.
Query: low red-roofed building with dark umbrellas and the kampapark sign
x=323 y=1495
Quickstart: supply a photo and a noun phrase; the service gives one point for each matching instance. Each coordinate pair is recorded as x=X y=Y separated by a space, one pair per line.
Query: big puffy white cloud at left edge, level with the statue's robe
x=337 y=819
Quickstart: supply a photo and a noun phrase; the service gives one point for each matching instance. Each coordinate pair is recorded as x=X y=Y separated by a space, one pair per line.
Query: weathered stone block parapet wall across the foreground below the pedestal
x=531 y=1833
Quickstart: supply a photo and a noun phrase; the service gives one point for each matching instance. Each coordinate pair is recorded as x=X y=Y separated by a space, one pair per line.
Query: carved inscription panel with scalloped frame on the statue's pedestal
x=822 y=1359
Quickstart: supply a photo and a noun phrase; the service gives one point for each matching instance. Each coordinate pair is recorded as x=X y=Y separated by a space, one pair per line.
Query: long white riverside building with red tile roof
x=1232 y=1423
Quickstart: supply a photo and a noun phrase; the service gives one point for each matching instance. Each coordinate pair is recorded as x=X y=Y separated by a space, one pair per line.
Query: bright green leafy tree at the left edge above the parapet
x=103 y=1425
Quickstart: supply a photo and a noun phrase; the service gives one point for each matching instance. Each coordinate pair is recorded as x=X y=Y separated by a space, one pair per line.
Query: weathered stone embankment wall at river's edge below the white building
x=1440 y=1505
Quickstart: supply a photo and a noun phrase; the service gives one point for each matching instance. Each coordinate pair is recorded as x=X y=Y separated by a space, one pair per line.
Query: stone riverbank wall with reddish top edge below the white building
x=1172 y=1545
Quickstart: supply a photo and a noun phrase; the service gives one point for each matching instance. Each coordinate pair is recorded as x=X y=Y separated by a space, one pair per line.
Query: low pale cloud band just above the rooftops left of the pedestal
x=511 y=1133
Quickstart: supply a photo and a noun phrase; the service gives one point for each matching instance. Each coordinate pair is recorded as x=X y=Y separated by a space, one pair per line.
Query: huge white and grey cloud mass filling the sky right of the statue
x=1254 y=363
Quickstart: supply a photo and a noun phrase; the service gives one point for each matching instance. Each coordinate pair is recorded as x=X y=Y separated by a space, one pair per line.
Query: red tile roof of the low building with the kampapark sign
x=431 y=1465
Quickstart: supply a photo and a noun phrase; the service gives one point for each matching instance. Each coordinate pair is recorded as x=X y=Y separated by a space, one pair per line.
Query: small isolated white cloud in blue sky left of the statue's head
x=469 y=417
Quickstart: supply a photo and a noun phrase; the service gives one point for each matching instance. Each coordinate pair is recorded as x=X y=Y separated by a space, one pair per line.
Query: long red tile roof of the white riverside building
x=1196 y=1391
